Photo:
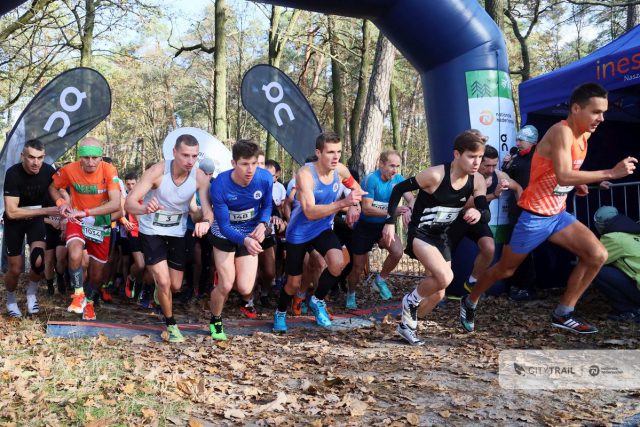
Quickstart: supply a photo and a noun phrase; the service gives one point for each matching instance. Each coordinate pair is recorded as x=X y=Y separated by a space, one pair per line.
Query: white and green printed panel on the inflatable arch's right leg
x=492 y=112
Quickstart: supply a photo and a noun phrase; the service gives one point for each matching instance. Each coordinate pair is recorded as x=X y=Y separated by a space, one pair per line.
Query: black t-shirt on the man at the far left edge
x=31 y=189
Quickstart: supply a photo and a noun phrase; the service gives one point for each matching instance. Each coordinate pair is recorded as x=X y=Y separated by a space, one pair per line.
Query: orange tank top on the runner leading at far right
x=544 y=196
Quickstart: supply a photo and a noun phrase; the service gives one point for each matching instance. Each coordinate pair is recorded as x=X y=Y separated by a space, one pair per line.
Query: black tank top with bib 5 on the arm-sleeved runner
x=433 y=213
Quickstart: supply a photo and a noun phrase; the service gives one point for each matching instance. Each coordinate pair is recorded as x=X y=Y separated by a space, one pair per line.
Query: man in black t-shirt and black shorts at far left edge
x=25 y=193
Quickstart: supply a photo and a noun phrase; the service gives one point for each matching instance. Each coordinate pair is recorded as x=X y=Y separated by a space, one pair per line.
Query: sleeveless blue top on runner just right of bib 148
x=300 y=228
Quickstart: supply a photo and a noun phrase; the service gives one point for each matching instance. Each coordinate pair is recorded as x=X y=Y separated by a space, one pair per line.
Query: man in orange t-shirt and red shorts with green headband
x=95 y=200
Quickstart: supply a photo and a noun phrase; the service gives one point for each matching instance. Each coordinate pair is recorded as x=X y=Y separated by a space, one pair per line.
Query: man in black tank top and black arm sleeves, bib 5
x=443 y=193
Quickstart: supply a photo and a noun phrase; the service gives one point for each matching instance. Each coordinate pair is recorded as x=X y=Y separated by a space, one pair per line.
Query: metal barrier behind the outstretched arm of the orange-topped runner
x=624 y=196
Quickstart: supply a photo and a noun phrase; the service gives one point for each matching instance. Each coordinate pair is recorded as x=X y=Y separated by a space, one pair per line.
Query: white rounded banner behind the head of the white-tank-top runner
x=209 y=146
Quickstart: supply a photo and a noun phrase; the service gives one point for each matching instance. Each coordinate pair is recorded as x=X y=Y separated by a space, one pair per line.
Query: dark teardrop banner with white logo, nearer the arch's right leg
x=280 y=107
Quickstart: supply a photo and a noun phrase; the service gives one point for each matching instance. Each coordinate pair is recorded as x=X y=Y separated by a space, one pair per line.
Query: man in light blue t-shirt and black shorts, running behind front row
x=368 y=230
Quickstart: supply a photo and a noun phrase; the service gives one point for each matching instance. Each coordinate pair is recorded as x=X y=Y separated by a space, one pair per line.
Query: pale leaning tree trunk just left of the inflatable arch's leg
x=370 y=138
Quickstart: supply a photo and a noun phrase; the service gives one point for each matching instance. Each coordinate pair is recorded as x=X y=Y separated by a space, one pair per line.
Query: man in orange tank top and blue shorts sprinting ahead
x=555 y=171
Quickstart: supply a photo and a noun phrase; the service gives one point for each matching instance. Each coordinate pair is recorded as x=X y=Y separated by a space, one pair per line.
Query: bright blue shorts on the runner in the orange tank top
x=531 y=230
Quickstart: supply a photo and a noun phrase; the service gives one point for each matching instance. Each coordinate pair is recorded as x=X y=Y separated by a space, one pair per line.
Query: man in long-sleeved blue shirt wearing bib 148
x=242 y=204
